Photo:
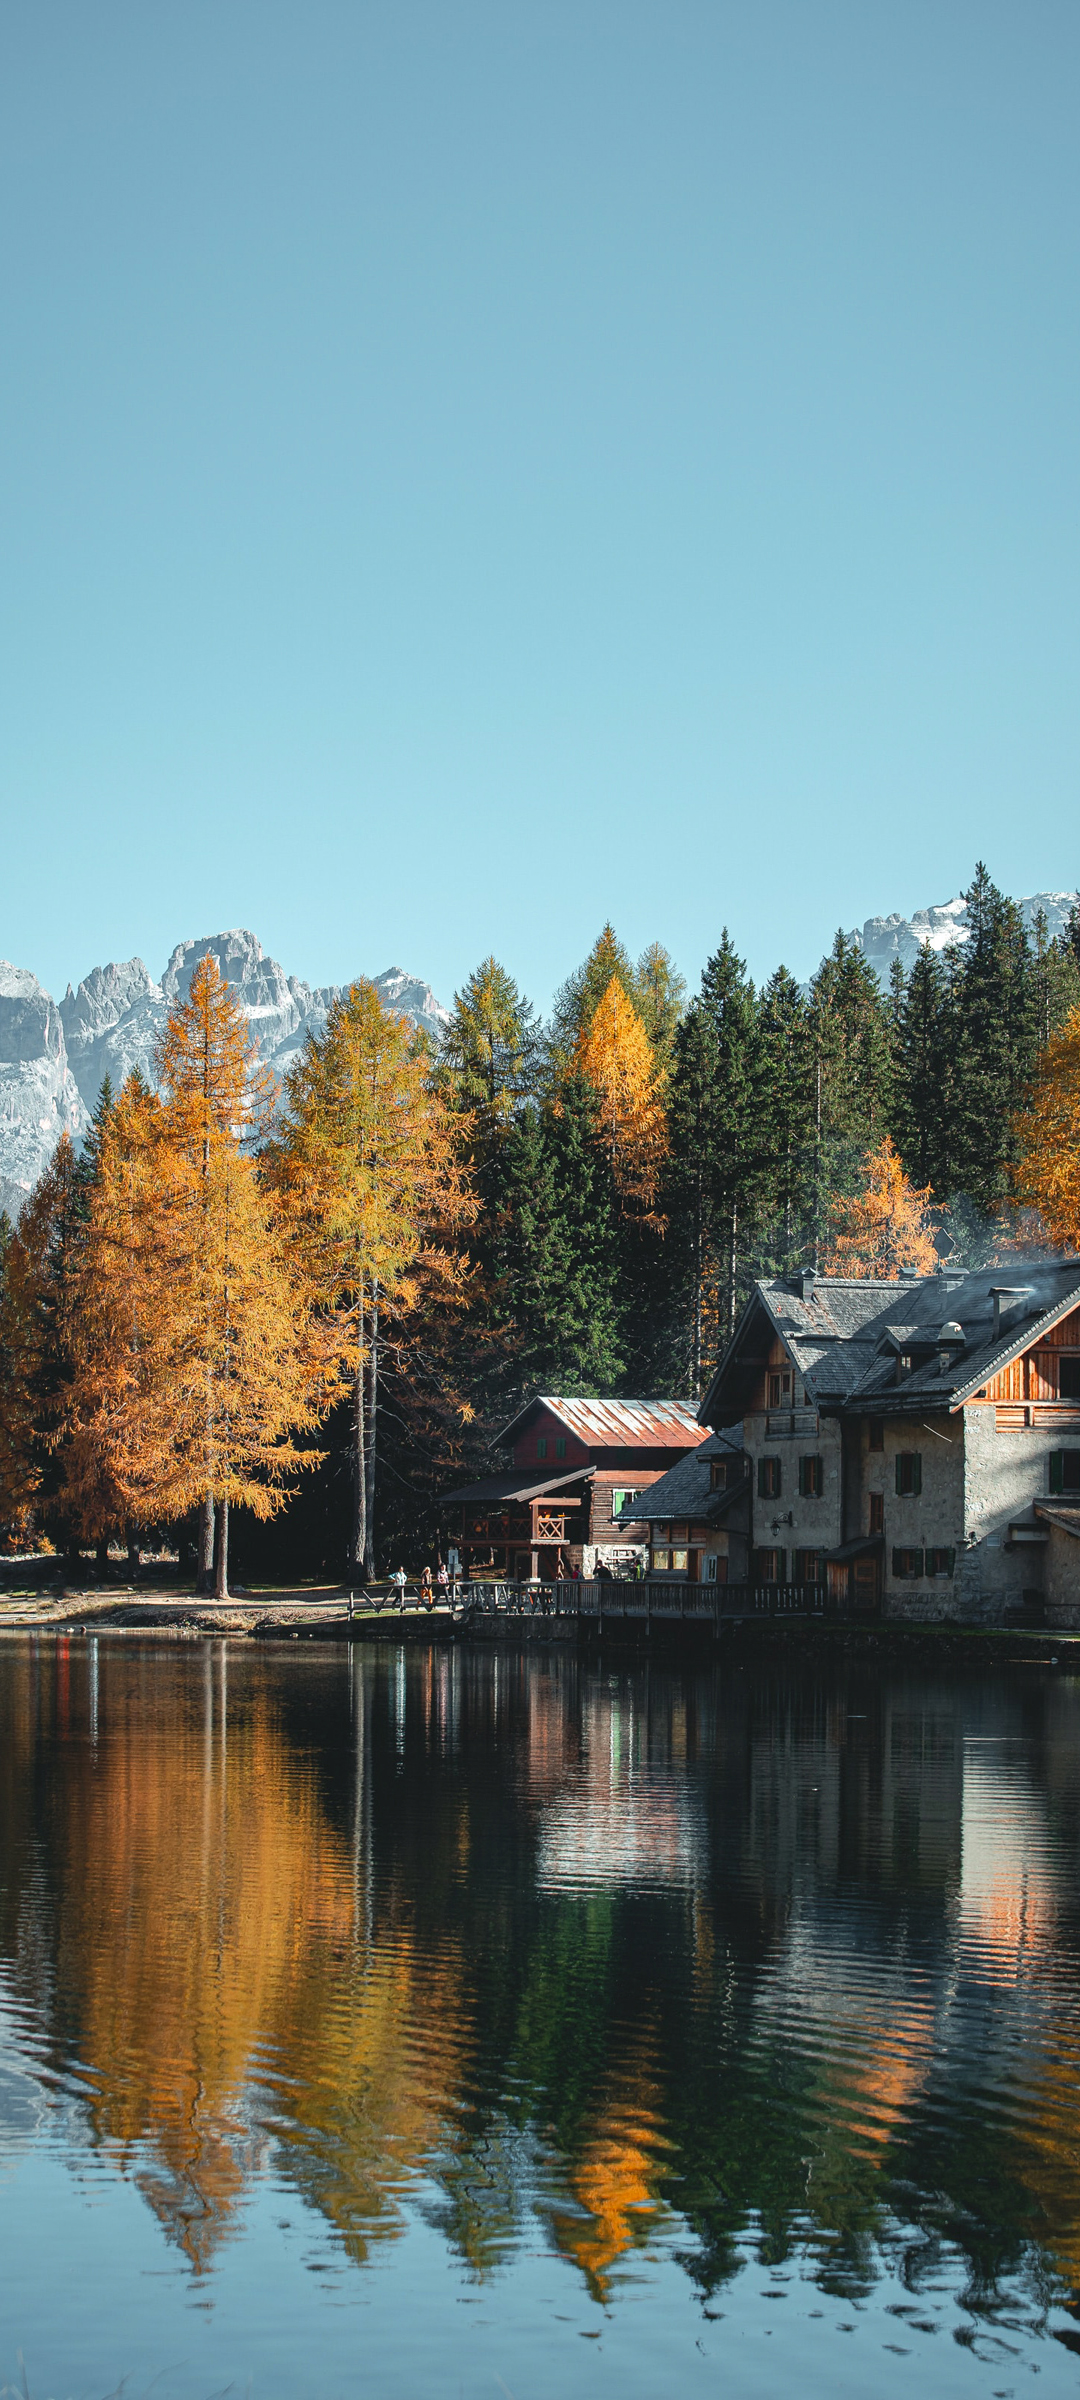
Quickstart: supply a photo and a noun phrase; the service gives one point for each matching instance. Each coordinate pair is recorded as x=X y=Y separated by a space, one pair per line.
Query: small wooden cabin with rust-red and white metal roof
x=577 y=1468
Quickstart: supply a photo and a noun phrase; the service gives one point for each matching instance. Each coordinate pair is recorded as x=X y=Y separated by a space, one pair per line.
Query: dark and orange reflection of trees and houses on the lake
x=618 y=1952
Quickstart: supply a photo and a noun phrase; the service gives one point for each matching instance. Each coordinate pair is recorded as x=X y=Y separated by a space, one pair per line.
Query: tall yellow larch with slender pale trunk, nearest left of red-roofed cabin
x=373 y=1182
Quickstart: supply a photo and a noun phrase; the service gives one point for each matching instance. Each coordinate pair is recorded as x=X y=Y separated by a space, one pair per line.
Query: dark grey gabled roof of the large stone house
x=844 y=1338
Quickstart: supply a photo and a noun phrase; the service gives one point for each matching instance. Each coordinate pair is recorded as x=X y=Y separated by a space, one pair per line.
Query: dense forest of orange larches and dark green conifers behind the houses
x=318 y=1304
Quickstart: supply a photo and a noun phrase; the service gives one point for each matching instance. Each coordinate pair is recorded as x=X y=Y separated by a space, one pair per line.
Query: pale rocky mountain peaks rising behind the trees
x=54 y=1055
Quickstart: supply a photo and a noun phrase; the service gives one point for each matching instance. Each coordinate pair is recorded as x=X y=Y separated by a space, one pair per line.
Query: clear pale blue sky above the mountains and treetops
x=488 y=467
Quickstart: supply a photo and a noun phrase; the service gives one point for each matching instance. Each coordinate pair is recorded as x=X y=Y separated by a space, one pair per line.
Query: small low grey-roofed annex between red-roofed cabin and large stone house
x=700 y=1516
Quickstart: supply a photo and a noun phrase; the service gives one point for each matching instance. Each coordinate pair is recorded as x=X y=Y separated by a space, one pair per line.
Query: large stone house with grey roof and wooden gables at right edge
x=916 y=1444
